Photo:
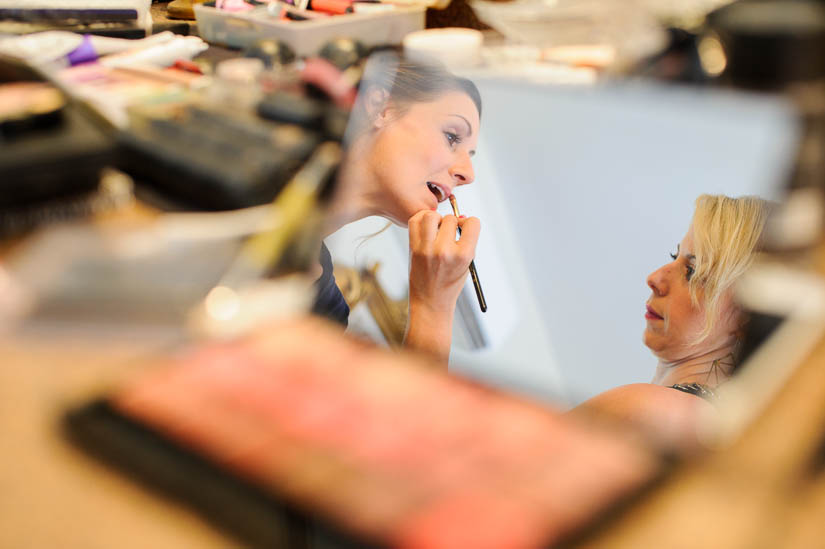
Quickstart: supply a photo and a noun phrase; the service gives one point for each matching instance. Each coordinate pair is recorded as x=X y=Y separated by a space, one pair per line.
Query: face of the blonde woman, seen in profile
x=673 y=322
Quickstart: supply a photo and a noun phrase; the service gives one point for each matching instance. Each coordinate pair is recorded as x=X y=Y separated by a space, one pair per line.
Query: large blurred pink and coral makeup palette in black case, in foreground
x=301 y=423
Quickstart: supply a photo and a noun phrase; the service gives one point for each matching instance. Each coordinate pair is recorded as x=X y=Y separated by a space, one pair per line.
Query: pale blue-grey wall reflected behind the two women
x=582 y=192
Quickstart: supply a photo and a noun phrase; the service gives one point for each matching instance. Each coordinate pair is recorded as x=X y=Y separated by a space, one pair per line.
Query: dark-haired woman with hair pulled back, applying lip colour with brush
x=411 y=137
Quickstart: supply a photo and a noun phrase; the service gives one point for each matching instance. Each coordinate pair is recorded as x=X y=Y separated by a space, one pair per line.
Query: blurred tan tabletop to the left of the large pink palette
x=53 y=494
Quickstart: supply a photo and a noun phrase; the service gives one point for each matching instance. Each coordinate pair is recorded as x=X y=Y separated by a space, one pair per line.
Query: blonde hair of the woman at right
x=727 y=233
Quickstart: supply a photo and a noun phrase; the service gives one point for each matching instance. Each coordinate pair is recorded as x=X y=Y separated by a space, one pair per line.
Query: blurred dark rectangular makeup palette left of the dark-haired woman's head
x=206 y=157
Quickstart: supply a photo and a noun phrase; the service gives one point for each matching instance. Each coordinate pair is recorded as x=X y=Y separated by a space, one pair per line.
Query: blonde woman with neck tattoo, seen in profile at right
x=693 y=325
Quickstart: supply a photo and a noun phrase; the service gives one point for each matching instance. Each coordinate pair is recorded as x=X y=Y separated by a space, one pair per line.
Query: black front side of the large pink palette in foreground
x=256 y=517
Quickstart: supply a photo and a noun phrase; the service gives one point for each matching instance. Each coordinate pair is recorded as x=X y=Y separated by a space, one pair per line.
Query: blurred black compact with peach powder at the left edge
x=54 y=154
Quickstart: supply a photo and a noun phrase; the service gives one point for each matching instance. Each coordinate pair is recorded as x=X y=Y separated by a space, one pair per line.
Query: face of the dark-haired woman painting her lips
x=422 y=153
